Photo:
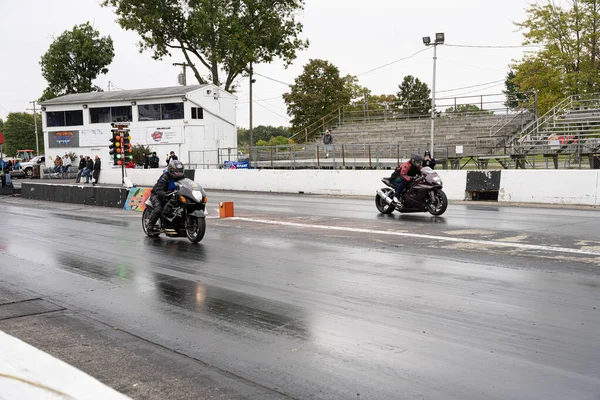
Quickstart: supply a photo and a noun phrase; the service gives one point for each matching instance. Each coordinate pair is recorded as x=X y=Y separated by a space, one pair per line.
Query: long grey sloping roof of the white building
x=122 y=95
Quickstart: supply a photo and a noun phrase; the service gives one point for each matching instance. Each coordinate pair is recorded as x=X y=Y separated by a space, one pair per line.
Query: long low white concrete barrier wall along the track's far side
x=543 y=186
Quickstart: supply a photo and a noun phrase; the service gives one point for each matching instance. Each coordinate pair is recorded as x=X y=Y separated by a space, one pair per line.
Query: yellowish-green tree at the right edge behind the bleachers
x=569 y=57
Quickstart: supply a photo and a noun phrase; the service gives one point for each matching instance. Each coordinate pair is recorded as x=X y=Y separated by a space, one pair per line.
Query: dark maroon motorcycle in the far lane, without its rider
x=425 y=194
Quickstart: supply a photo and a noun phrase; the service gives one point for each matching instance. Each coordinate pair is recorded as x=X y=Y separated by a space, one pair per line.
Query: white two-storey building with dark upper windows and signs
x=192 y=121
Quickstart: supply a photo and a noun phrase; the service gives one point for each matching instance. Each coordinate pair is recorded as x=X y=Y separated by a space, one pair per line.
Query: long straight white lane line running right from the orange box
x=428 y=237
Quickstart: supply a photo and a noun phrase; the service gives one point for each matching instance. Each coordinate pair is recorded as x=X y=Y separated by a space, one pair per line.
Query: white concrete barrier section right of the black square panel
x=550 y=187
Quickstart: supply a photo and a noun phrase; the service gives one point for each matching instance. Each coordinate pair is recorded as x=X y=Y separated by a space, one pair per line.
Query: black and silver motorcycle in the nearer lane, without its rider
x=184 y=214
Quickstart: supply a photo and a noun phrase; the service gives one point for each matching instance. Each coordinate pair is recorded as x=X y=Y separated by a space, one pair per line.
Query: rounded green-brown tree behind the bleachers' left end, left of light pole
x=318 y=91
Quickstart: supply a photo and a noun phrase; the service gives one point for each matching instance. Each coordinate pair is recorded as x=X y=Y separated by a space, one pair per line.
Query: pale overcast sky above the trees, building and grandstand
x=355 y=35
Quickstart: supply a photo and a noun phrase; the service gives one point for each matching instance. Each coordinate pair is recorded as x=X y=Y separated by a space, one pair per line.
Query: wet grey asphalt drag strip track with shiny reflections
x=305 y=312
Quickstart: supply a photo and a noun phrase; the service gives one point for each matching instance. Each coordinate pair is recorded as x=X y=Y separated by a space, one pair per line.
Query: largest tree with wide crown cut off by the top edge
x=217 y=35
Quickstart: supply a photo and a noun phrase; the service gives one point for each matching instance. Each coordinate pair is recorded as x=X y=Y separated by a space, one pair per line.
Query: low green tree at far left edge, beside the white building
x=19 y=132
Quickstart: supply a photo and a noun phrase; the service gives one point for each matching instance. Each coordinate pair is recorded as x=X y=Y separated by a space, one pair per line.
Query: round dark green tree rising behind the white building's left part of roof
x=74 y=60
